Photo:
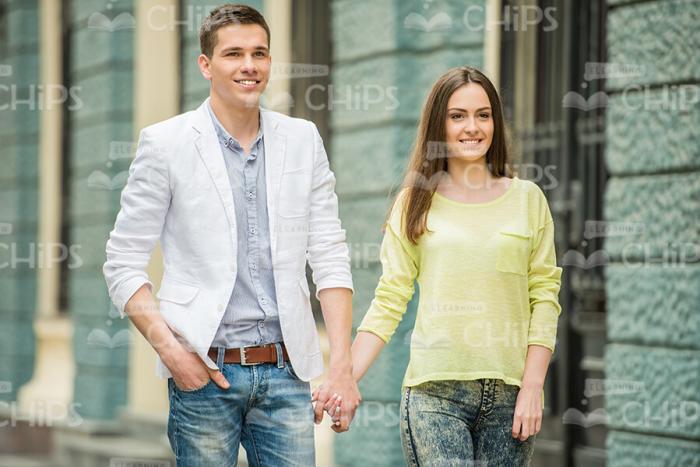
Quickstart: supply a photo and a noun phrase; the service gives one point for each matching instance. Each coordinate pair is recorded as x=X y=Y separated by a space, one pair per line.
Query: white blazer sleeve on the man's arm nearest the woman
x=327 y=253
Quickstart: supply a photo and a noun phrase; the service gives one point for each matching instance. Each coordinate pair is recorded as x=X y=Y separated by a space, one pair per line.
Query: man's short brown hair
x=225 y=15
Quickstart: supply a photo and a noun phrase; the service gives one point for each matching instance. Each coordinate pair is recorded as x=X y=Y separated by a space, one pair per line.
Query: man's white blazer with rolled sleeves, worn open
x=178 y=192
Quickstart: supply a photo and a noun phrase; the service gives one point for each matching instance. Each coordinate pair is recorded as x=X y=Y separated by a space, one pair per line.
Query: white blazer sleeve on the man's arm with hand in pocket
x=143 y=207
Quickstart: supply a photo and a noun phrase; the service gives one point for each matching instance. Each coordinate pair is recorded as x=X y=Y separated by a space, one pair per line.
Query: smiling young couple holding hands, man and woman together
x=241 y=198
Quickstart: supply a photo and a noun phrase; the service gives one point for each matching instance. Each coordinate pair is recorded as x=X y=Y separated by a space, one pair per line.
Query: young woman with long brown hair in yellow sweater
x=480 y=245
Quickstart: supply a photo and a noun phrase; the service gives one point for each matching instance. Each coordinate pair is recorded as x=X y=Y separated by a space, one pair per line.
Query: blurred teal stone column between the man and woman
x=386 y=56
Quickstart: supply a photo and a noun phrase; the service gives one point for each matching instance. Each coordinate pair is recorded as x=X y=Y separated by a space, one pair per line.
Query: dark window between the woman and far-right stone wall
x=569 y=140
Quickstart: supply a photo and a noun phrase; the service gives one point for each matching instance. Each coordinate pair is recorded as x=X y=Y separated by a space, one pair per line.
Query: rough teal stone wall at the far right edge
x=653 y=281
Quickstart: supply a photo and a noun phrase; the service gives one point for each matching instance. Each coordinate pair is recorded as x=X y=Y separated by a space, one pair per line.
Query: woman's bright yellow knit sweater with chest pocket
x=488 y=282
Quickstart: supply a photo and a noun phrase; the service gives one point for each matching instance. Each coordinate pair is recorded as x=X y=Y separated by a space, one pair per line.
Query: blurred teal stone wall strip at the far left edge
x=20 y=109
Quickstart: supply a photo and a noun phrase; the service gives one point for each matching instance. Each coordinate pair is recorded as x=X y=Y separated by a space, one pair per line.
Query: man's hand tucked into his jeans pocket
x=189 y=371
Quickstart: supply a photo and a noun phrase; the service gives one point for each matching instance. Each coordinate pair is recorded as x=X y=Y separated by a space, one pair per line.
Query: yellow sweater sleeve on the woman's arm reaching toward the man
x=396 y=285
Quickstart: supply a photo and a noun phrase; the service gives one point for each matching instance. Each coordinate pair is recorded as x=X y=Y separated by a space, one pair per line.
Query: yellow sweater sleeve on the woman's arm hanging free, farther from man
x=544 y=280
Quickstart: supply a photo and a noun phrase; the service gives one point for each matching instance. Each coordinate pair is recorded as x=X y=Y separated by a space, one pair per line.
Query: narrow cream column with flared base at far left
x=52 y=383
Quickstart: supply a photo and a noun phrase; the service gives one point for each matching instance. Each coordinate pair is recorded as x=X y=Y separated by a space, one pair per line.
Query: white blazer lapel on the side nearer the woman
x=275 y=151
